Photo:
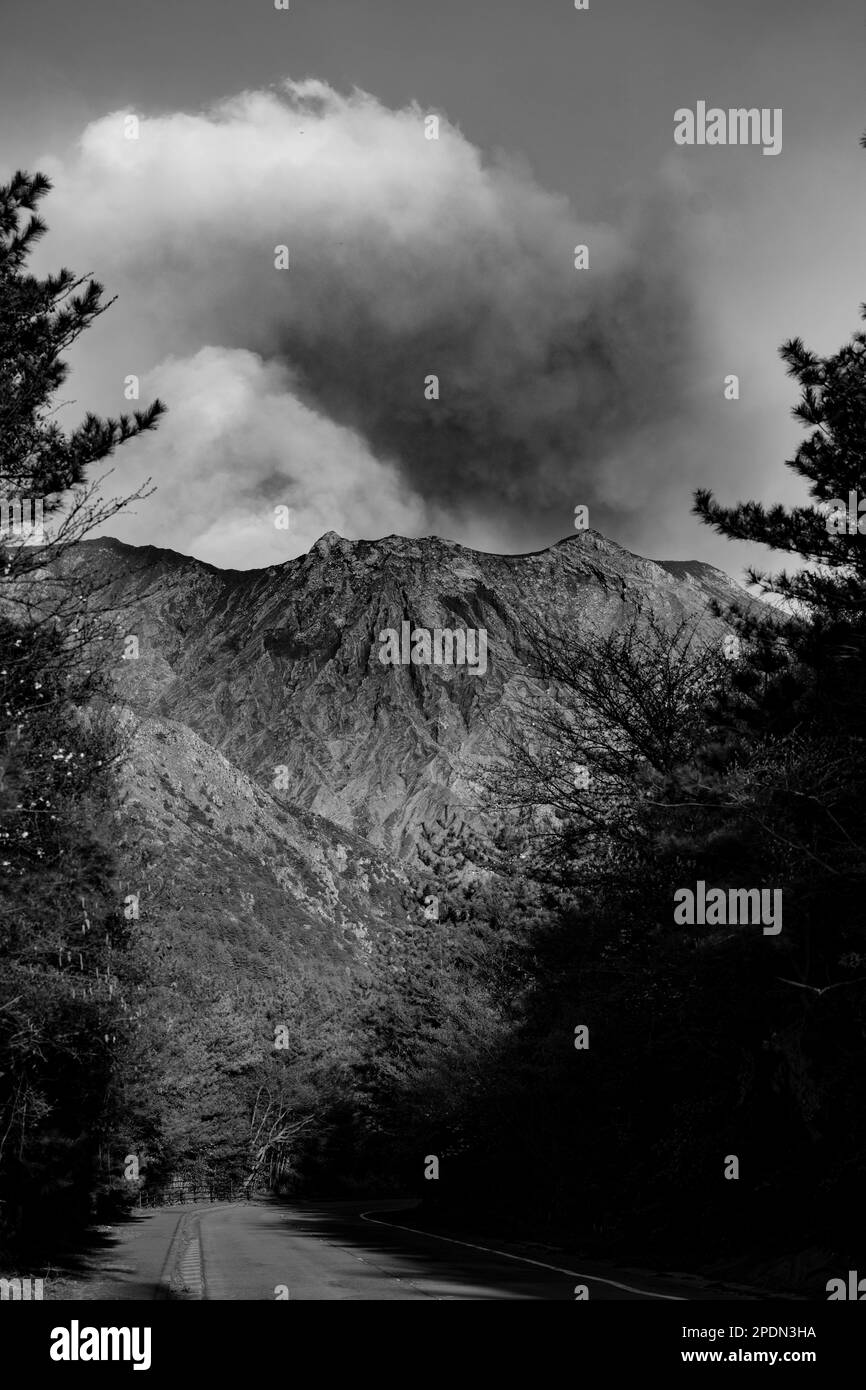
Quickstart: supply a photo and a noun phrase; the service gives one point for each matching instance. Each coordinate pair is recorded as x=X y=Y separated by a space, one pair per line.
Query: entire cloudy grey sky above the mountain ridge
x=309 y=387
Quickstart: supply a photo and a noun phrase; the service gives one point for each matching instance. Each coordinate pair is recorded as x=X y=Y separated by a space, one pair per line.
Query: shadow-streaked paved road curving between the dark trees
x=308 y=1252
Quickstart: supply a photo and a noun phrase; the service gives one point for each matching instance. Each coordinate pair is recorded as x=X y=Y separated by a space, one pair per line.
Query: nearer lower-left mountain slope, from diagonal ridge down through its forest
x=251 y=915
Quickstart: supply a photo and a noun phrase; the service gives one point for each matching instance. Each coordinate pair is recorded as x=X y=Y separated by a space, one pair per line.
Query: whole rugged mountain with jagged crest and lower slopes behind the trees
x=280 y=783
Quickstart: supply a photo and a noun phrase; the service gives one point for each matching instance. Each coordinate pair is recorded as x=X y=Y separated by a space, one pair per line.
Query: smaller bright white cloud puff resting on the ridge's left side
x=240 y=445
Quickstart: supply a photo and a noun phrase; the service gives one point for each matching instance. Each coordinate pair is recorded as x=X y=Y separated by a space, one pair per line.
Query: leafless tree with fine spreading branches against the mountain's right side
x=607 y=722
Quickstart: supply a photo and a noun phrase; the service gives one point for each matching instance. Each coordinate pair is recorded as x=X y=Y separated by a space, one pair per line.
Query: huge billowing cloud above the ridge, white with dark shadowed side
x=409 y=258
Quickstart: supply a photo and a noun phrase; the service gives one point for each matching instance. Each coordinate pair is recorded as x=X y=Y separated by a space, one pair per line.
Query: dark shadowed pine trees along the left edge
x=69 y=981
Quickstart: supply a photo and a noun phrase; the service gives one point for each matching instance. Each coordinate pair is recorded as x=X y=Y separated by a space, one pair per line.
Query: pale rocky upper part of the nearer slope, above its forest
x=206 y=833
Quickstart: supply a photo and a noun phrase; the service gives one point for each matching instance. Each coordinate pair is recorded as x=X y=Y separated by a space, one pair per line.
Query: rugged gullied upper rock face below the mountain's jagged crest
x=279 y=669
